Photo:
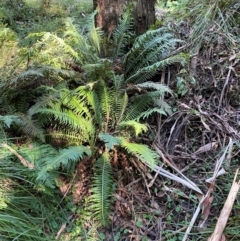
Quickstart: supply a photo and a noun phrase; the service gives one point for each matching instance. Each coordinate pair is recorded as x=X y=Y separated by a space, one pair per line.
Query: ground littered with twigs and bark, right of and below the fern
x=204 y=127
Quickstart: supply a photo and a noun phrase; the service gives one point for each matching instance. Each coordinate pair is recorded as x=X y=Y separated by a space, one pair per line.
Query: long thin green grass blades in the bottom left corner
x=27 y=213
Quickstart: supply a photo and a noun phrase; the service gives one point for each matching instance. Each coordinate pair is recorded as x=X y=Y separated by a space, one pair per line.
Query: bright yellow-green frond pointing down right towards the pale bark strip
x=143 y=152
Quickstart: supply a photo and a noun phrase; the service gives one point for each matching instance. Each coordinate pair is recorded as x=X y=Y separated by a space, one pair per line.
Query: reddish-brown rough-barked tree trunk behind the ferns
x=109 y=12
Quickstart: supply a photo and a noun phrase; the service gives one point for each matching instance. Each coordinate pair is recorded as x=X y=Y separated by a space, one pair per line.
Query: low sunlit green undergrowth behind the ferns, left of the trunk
x=29 y=16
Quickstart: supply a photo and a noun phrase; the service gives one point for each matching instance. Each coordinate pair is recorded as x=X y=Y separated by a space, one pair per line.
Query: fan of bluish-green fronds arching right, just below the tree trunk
x=150 y=52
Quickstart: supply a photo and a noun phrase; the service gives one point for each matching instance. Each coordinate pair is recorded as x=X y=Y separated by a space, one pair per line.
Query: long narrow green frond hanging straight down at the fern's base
x=102 y=189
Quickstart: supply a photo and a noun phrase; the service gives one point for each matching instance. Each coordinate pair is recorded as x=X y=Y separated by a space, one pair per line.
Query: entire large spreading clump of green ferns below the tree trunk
x=83 y=94
